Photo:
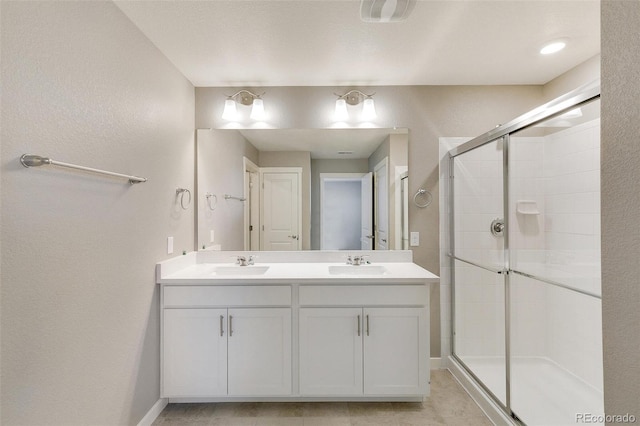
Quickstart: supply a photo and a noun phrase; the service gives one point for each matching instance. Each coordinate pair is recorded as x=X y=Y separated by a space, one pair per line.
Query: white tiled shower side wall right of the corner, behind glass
x=572 y=247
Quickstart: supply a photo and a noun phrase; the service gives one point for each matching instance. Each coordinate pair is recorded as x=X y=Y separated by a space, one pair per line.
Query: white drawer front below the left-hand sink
x=194 y=296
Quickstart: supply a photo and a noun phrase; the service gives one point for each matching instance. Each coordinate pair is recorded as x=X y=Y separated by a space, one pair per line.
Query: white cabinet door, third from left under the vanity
x=330 y=351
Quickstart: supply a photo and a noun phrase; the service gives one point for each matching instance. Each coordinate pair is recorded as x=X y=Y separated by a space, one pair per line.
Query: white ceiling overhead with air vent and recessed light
x=324 y=43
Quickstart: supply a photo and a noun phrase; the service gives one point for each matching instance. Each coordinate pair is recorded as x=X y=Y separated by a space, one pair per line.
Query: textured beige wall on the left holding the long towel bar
x=80 y=320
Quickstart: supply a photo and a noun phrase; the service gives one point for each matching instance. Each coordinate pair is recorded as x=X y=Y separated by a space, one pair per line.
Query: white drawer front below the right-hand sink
x=369 y=295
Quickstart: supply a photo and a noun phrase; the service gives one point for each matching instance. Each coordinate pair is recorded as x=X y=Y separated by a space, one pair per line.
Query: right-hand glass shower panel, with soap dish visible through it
x=554 y=241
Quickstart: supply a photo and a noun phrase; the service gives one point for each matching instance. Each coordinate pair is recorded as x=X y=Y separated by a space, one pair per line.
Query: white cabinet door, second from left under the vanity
x=259 y=351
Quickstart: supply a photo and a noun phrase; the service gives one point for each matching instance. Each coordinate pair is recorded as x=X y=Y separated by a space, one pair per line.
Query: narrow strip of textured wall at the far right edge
x=620 y=162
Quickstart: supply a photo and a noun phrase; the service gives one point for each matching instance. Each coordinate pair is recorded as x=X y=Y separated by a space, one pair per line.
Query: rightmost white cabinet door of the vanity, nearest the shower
x=395 y=351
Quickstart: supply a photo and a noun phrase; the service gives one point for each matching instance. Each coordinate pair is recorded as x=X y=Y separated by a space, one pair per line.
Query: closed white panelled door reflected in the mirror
x=281 y=210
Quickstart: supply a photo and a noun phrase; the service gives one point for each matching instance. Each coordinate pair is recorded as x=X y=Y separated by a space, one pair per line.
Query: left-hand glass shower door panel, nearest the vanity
x=478 y=262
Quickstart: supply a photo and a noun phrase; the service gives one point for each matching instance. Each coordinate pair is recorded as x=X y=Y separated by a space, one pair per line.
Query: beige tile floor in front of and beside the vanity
x=449 y=404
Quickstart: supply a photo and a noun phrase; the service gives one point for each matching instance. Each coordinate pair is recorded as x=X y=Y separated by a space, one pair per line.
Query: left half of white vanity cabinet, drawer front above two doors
x=210 y=351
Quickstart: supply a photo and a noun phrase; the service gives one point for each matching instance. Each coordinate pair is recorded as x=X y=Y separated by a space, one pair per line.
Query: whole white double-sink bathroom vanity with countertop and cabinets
x=294 y=326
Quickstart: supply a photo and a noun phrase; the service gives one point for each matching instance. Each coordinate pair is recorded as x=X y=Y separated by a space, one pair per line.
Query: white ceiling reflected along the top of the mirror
x=321 y=143
